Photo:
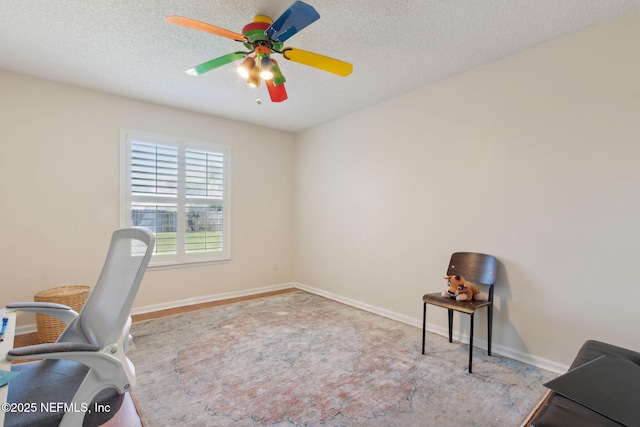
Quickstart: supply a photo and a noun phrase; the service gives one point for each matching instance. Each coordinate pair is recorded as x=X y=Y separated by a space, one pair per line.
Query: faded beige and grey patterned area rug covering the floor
x=298 y=359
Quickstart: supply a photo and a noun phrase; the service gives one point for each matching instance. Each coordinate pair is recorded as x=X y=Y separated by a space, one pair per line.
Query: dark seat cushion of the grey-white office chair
x=46 y=388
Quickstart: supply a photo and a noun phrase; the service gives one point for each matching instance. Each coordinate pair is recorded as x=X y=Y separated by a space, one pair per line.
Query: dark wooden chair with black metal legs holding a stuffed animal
x=476 y=268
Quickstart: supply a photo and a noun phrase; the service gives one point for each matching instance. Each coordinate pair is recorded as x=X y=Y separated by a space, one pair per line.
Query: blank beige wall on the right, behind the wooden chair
x=534 y=159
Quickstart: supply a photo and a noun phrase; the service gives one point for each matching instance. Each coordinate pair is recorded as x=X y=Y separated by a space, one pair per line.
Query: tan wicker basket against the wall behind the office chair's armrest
x=50 y=328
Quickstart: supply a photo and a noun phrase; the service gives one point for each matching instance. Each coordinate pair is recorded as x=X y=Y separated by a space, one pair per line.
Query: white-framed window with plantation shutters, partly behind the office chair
x=177 y=189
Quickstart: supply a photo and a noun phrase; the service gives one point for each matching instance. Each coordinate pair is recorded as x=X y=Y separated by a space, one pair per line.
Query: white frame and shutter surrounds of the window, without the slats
x=181 y=200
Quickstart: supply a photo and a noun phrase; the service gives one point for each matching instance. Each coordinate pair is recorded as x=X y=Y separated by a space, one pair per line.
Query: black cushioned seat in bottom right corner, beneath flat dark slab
x=560 y=411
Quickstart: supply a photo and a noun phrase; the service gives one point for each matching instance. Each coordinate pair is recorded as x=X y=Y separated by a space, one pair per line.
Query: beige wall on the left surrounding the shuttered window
x=59 y=183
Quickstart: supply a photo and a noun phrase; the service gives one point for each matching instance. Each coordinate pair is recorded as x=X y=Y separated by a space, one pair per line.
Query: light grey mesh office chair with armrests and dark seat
x=82 y=377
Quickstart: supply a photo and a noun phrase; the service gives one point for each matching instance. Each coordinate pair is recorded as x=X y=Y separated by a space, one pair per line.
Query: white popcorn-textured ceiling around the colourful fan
x=126 y=48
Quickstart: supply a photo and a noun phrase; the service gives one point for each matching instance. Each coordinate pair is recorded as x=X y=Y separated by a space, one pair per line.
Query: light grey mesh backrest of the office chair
x=105 y=314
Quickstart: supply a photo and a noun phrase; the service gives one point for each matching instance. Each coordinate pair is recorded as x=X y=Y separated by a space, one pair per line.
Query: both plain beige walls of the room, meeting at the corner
x=533 y=159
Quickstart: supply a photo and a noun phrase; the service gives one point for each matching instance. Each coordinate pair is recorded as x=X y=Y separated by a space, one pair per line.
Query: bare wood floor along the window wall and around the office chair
x=128 y=416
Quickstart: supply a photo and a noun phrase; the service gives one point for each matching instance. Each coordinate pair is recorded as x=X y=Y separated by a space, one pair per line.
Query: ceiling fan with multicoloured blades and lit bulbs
x=263 y=37
